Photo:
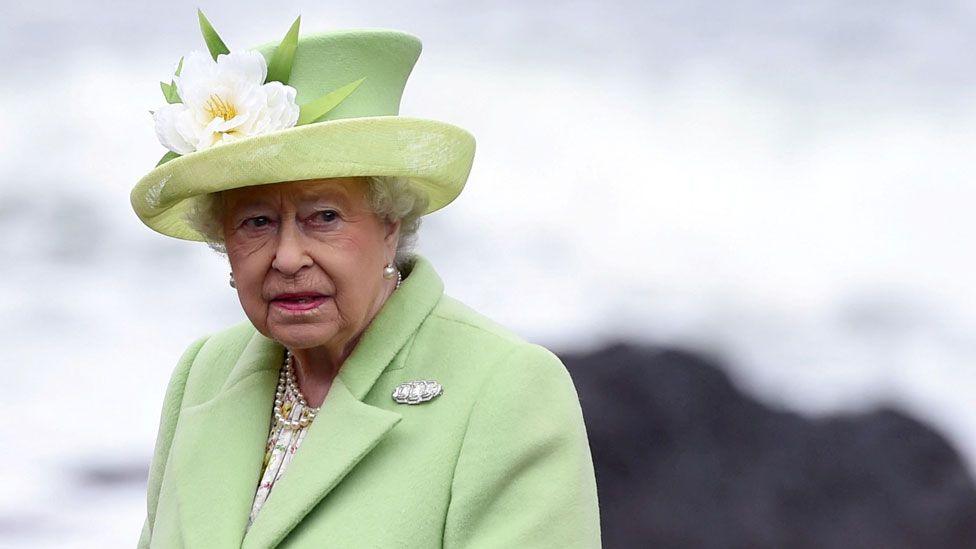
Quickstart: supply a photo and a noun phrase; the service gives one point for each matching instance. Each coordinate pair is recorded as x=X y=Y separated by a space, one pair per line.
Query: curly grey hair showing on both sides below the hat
x=391 y=198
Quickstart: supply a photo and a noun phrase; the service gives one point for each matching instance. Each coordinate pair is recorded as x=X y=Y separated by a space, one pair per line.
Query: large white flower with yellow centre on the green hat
x=223 y=101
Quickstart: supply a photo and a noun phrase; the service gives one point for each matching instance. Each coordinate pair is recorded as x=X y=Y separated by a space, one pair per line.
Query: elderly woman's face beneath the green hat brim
x=308 y=259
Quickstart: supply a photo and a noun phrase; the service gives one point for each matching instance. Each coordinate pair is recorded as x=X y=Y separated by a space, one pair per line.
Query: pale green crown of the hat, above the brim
x=327 y=61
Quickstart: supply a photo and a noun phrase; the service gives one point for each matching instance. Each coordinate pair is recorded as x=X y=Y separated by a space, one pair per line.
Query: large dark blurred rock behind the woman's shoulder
x=685 y=459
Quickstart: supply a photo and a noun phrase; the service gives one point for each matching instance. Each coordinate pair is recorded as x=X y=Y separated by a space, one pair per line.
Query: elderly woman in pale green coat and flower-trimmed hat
x=358 y=405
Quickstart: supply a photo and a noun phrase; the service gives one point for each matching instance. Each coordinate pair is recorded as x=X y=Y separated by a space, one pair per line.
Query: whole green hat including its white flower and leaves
x=342 y=119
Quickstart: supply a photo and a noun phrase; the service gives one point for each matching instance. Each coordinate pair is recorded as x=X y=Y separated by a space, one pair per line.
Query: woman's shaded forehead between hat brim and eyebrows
x=349 y=189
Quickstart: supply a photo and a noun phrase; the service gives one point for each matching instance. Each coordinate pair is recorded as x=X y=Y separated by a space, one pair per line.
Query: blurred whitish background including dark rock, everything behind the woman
x=767 y=199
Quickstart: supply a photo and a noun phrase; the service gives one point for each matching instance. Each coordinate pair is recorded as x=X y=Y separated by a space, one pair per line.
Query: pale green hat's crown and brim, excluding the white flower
x=362 y=135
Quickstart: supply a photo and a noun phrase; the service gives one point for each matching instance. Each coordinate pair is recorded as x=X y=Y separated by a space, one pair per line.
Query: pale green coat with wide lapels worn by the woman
x=500 y=459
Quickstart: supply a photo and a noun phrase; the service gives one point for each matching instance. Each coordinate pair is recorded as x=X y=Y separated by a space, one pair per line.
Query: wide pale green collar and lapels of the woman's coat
x=218 y=460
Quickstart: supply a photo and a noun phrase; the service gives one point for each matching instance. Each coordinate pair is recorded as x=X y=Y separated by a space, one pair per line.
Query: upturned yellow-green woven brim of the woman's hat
x=434 y=156
